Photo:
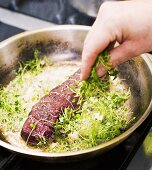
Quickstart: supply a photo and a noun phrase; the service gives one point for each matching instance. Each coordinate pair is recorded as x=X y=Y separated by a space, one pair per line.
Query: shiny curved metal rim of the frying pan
x=80 y=152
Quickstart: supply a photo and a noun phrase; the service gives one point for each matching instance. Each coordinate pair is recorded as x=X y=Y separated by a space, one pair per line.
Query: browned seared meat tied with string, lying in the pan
x=43 y=116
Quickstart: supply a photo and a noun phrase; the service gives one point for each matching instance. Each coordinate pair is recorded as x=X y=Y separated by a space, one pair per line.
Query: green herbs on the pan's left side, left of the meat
x=14 y=106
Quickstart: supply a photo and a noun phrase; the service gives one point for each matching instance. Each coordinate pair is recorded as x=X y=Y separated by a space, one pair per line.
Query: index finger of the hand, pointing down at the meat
x=96 y=41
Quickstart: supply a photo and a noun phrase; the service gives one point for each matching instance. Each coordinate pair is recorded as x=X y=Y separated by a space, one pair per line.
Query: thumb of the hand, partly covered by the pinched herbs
x=119 y=55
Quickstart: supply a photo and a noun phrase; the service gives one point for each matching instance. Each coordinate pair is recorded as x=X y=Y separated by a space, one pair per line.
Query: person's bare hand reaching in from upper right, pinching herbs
x=129 y=23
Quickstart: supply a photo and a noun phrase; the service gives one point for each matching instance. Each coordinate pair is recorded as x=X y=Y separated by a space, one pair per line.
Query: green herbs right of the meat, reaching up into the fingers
x=101 y=115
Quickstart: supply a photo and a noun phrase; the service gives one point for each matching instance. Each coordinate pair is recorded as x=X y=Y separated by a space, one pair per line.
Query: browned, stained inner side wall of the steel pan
x=135 y=72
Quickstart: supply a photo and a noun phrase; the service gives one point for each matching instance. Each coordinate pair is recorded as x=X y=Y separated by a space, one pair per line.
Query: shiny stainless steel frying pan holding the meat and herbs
x=65 y=43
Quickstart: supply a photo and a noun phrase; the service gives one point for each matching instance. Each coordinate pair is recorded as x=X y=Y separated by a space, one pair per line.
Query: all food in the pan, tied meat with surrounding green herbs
x=83 y=114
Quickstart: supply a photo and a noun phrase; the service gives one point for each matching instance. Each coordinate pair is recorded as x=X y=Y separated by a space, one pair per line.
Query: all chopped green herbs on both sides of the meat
x=102 y=114
